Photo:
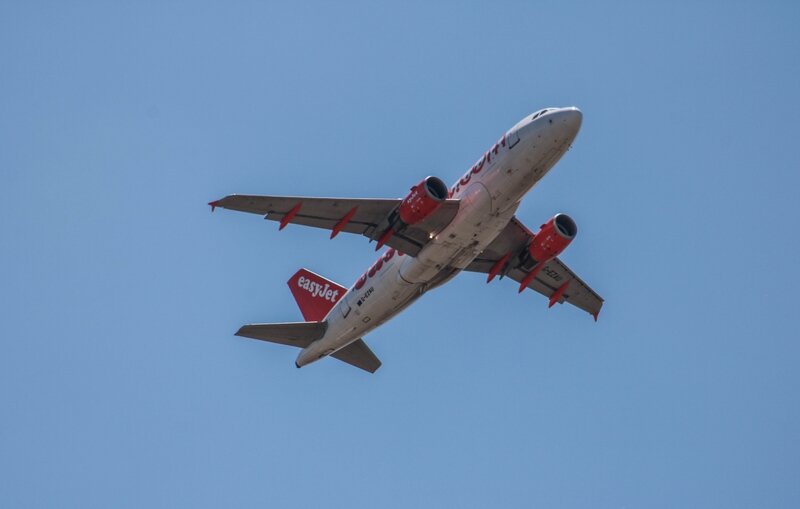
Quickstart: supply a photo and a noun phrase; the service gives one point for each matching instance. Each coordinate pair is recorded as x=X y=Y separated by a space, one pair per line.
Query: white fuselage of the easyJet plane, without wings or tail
x=490 y=193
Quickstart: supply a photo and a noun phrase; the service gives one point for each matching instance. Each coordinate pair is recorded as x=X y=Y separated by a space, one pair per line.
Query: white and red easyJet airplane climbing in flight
x=432 y=235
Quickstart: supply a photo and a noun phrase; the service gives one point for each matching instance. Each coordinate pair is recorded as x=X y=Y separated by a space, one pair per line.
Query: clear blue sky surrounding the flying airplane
x=122 y=385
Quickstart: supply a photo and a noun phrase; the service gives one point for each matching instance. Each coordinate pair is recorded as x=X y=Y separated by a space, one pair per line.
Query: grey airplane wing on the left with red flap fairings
x=368 y=217
